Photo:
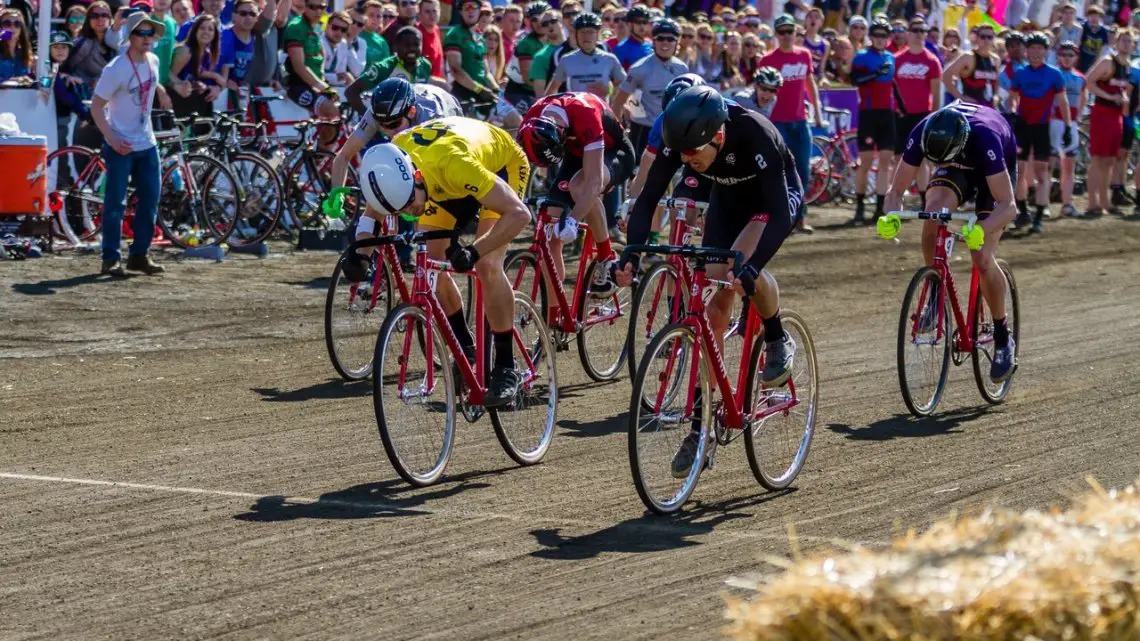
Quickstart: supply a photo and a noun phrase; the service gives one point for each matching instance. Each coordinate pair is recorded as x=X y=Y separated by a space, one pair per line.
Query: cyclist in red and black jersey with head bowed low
x=580 y=132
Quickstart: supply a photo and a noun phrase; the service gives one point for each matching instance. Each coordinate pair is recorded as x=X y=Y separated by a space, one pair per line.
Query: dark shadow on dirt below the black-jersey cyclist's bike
x=649 y=533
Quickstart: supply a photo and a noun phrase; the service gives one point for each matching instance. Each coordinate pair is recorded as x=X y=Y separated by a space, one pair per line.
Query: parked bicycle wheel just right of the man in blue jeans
x=214 y=225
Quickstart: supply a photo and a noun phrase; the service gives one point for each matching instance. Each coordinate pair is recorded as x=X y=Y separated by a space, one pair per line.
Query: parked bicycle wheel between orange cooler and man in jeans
x=83 y=205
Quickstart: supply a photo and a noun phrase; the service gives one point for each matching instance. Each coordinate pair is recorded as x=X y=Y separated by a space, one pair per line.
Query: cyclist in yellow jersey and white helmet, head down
x=447 y=173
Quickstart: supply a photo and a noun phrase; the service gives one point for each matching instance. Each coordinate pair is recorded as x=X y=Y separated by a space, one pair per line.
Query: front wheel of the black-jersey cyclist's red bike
x=657 y=433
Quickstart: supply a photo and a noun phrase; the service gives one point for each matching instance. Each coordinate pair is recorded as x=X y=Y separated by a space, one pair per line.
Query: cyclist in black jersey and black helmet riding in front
x=753 y=207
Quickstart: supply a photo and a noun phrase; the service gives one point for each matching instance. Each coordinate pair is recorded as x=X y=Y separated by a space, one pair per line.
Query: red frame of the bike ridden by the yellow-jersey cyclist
x=424 y=296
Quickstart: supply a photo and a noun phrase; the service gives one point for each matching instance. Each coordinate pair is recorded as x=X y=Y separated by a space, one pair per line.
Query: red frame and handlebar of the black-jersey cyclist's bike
x=703 y=290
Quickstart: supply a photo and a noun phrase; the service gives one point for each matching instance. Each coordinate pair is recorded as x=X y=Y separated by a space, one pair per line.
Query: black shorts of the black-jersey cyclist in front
x=732 y=208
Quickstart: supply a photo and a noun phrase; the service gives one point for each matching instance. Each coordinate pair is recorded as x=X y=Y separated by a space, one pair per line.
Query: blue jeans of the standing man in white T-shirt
x=143 y=169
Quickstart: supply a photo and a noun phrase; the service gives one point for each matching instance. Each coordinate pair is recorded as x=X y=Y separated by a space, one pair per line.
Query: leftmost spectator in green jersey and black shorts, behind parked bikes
x=306 y=66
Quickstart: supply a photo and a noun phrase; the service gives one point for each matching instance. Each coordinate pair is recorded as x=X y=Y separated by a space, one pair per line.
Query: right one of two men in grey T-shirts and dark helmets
x=649 y=77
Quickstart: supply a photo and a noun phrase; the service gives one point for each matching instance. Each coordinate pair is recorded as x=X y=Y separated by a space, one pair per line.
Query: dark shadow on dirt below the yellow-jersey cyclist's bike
x=392 y=498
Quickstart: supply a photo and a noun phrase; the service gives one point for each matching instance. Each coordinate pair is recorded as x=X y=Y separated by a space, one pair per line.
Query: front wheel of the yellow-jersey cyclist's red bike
x=394 y=340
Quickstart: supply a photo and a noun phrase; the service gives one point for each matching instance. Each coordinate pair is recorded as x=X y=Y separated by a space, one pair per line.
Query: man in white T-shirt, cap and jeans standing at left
x=121 y=110
